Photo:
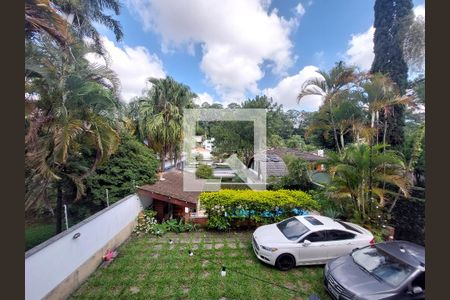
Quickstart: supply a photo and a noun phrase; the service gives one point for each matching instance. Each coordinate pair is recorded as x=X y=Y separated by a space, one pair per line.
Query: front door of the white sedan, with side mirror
x=315 y=251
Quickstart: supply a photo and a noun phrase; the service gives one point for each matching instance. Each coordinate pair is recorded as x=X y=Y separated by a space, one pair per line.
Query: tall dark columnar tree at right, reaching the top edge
x=393 y=19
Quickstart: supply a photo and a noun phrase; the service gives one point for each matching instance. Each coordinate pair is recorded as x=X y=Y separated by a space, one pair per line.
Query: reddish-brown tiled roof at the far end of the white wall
x=172 y=187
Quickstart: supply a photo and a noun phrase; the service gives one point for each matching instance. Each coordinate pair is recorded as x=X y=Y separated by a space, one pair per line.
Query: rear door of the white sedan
x=340 y=242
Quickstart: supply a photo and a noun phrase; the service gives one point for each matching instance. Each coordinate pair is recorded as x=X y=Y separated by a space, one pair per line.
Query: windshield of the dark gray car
x=382 y=265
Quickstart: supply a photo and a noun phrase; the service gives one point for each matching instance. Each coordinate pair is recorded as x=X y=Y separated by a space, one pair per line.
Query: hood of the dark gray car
x=348 y=274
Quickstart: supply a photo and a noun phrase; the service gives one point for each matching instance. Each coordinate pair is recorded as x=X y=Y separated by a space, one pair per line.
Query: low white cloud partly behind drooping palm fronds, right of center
x=286 y=91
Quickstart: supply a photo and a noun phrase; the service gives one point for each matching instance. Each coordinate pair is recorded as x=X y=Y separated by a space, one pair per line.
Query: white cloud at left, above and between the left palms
x=133 y=65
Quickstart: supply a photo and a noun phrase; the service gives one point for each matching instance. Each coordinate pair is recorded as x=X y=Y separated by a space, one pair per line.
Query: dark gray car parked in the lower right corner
x=389 y=270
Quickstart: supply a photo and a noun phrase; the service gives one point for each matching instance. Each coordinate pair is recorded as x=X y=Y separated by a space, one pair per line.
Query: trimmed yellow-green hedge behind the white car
x=232 y=208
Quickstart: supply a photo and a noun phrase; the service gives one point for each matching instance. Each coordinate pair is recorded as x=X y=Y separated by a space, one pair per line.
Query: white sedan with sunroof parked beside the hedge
x=307 y=240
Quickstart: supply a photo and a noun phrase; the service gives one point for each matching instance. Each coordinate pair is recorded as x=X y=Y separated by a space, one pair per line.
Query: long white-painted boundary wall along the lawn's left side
x=50 y=263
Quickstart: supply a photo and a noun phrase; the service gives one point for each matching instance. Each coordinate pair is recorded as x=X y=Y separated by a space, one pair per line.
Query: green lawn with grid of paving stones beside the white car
x=149 y=267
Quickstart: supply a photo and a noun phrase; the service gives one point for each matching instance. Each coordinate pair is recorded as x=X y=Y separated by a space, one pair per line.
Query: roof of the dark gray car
x=409 y=253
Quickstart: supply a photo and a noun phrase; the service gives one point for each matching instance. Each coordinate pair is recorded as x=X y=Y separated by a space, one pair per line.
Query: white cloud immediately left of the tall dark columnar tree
x=360 y=49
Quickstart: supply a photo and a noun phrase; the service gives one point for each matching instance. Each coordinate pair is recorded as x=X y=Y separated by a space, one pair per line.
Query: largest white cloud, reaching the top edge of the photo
x=236 y=38
